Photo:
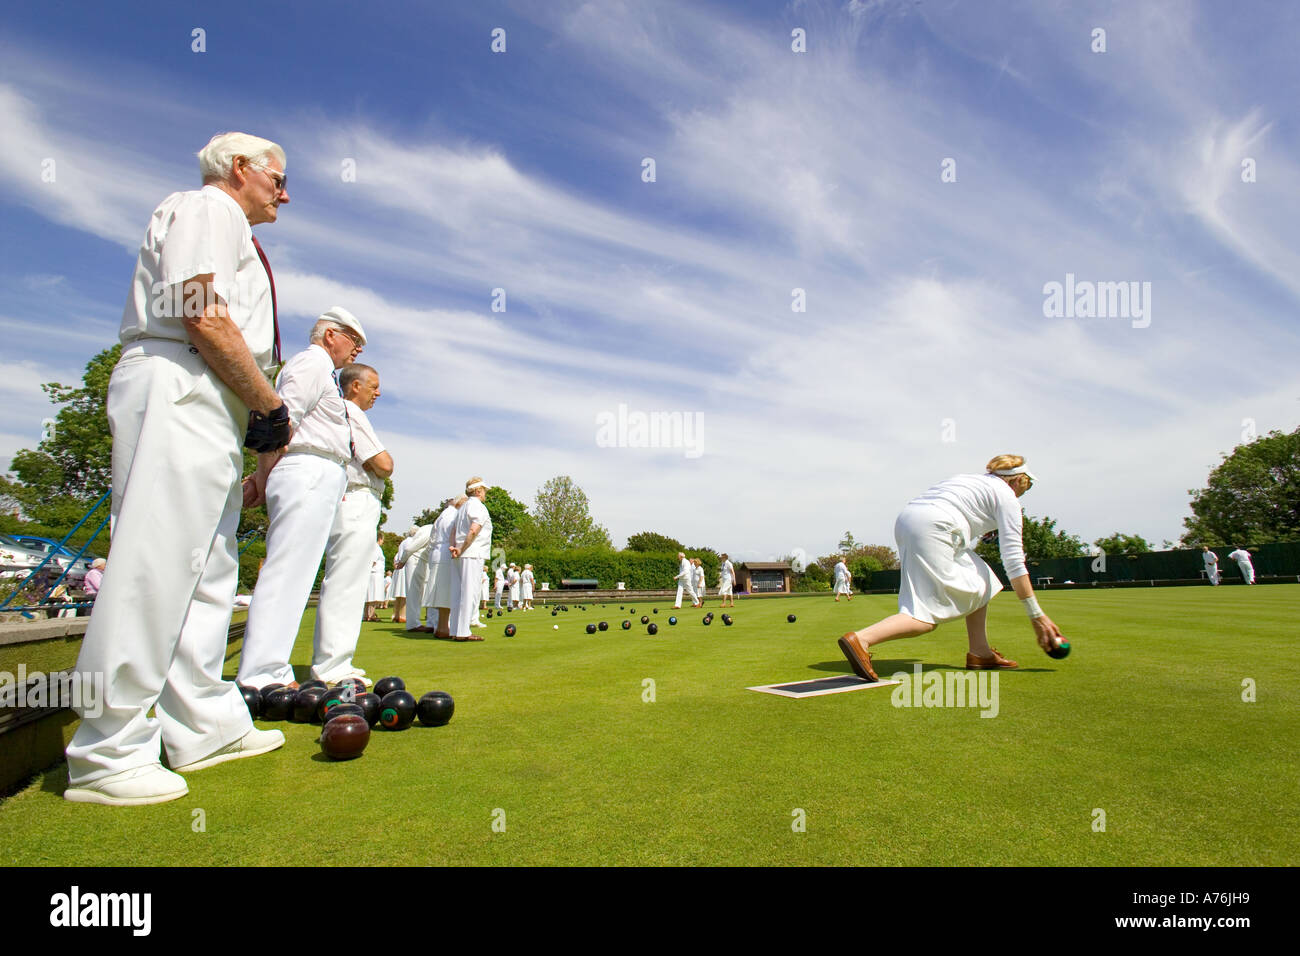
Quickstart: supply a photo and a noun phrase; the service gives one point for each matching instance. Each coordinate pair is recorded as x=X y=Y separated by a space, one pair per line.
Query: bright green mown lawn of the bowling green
x=1146 y=721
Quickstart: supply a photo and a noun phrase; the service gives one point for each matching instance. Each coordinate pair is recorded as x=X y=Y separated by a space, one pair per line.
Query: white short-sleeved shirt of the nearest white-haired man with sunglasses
x=193 y=235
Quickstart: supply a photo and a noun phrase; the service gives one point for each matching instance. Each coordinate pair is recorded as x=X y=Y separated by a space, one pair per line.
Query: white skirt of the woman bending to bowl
x=941 y=577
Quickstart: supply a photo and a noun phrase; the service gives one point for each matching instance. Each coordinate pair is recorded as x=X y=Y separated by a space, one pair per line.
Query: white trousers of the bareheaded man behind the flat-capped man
x=348 y=566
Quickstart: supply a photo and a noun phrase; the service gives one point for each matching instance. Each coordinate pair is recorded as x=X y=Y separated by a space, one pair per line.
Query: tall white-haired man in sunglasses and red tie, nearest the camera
x=200 y=335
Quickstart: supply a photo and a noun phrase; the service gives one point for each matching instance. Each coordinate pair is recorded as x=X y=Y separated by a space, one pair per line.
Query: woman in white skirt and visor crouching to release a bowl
x=941 y=576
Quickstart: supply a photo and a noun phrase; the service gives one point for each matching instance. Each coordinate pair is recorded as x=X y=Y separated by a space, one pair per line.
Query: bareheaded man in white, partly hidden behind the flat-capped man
x=352 y=544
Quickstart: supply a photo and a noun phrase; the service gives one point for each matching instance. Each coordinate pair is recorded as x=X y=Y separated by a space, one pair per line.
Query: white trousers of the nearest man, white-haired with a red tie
x=158 y=635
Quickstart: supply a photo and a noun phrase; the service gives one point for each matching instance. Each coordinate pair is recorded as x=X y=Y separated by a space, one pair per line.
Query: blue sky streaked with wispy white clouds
x=924 y=349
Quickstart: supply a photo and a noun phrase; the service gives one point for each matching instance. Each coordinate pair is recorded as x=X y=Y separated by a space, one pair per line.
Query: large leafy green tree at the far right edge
x=1253 y=498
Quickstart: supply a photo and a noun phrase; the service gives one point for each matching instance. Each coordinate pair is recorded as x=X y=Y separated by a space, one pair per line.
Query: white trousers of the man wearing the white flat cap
x=304 y=495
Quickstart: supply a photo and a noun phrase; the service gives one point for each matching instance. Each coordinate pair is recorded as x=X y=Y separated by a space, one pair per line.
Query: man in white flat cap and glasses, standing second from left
x=304 y=490
